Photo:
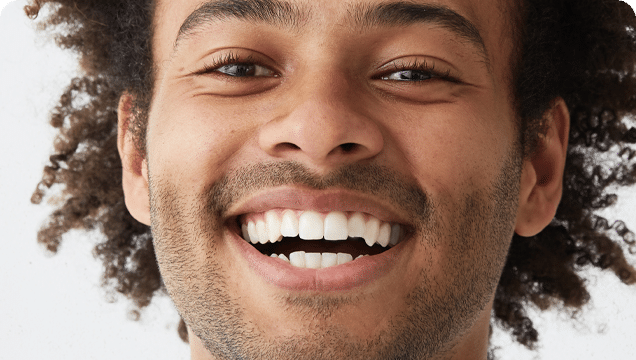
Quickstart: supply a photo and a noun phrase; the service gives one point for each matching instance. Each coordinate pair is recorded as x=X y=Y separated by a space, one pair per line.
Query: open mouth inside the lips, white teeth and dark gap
x=314 y=240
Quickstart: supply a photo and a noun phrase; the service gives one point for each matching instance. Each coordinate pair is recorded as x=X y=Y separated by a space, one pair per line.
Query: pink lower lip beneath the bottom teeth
x=347 y=276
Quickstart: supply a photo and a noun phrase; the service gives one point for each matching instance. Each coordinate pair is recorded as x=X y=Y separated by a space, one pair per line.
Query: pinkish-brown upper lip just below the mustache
x=301 y=198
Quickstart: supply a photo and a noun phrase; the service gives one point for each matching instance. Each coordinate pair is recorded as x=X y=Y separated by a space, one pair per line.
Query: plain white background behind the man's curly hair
x=52 y=307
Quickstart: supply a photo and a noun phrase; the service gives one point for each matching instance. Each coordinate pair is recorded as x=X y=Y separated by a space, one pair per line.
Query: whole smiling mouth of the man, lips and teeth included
x=319 y=241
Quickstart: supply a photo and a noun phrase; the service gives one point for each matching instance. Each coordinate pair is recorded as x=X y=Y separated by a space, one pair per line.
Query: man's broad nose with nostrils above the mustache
x=323 y=124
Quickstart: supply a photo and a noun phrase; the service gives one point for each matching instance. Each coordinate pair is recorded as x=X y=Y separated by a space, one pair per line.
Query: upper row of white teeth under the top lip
x=312 y=225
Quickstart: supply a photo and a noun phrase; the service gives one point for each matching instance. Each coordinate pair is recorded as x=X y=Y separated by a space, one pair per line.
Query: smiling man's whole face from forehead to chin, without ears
x=352 y=118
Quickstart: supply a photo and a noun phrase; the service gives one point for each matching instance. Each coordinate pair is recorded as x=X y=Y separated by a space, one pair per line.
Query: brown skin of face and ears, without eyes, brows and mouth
x=479 y=190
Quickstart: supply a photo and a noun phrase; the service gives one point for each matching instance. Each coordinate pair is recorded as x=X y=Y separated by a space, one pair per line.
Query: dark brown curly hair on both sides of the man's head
x=583 y=51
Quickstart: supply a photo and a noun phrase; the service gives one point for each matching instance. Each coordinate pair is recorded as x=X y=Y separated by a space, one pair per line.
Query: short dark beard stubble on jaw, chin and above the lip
x=438 y=310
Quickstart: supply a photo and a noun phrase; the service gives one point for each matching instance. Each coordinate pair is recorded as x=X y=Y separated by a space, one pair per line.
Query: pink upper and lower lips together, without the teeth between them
x=280 y=273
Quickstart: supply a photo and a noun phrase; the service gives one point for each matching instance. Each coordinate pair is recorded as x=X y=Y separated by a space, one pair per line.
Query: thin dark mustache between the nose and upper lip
x=373 y=179
